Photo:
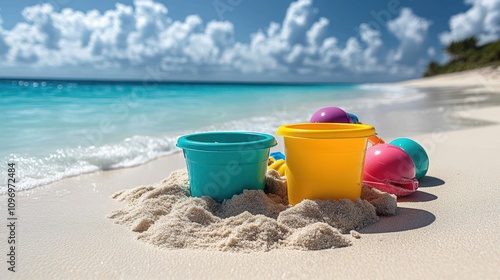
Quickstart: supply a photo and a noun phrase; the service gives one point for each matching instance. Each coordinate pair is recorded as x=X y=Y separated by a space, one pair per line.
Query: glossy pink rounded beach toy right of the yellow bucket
x=390 y=169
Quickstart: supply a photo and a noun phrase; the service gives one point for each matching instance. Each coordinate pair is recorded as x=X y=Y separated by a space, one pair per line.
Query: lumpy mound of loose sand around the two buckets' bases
x=166 y=216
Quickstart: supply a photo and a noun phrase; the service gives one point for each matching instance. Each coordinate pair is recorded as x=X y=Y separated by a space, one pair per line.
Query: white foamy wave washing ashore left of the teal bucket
x=35 y=171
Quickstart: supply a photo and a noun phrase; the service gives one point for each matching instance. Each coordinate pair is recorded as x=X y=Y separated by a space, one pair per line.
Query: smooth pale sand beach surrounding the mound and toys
x=448 y=229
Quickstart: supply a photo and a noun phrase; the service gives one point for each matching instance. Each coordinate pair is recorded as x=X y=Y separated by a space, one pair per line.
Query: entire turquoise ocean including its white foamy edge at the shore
x=57 y=129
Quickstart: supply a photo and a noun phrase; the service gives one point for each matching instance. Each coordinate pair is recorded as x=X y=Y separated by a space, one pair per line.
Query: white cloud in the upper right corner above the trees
x=482 y=20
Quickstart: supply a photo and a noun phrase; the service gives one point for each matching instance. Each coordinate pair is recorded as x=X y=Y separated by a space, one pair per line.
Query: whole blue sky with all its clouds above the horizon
x=236 y=40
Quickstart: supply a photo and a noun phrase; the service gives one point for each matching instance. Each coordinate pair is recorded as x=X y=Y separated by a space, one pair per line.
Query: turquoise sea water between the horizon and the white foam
x=44 y=116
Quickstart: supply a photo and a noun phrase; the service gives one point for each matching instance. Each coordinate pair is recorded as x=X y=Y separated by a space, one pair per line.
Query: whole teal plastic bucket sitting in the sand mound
x=222 y=164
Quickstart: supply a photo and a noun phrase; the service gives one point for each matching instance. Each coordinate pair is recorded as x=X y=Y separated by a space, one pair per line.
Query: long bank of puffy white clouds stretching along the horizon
x=131 y=38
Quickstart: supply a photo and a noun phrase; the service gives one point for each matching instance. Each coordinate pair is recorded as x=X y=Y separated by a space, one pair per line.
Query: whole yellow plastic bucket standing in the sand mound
x=324 y=160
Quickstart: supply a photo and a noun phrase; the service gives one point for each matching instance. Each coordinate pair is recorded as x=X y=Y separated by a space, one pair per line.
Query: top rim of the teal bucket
x=267 y=141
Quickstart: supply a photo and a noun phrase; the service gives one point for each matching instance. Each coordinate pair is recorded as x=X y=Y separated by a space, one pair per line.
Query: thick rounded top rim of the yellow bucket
x=326 y=130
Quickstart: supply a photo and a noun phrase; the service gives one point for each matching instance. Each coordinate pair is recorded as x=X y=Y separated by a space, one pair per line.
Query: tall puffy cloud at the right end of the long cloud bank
x=411 y=31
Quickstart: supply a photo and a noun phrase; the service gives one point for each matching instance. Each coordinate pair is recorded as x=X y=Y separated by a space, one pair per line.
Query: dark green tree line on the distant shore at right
x=466 y=54
